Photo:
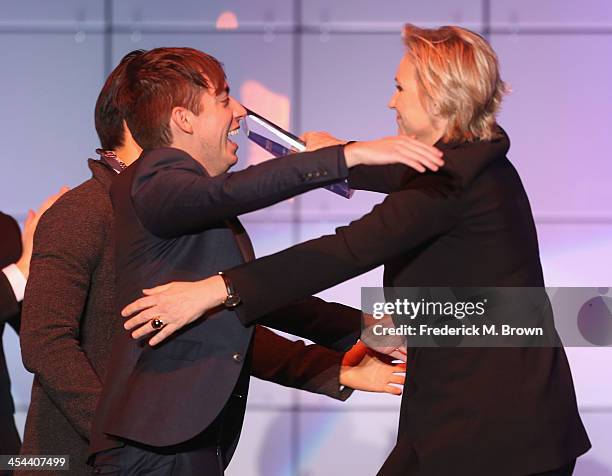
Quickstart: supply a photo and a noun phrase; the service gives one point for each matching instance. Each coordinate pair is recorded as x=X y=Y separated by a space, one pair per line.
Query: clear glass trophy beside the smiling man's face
x=257 y=128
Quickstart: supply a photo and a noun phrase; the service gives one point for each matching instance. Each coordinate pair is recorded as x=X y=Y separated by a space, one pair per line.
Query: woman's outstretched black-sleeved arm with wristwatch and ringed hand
x=404 y=220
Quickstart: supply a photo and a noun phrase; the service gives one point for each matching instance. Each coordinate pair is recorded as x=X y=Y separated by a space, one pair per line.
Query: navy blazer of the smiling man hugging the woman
x=175 y=222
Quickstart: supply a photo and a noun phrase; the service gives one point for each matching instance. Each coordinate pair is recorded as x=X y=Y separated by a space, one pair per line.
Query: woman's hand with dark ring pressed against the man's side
x=176 y=304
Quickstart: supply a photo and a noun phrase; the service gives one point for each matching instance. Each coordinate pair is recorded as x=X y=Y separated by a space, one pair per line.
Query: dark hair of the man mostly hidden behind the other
x=109 y=113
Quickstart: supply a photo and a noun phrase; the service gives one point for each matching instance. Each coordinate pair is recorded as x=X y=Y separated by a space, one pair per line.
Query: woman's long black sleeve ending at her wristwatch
x=405 y=219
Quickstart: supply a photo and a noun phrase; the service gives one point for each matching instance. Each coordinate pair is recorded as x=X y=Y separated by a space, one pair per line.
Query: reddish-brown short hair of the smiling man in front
x=158 y=81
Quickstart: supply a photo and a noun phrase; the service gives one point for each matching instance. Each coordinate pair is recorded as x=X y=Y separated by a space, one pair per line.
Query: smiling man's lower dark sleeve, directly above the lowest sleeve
x=331 y=325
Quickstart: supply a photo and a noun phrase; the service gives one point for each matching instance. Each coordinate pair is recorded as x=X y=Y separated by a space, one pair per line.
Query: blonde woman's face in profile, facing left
x=412 y=117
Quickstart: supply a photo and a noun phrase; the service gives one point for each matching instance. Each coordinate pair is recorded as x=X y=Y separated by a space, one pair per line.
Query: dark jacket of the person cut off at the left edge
x=10 y=251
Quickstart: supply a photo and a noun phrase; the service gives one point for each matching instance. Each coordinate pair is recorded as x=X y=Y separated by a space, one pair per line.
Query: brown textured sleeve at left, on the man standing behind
x=67 y=245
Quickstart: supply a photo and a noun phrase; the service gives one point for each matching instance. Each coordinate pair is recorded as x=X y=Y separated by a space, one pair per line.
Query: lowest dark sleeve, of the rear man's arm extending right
x=311 y=368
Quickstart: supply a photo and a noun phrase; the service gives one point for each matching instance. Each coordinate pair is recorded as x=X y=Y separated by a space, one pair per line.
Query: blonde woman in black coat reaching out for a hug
x=465 y=411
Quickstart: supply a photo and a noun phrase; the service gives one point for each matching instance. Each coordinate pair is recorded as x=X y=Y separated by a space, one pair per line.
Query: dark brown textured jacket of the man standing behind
x=69 y=319
